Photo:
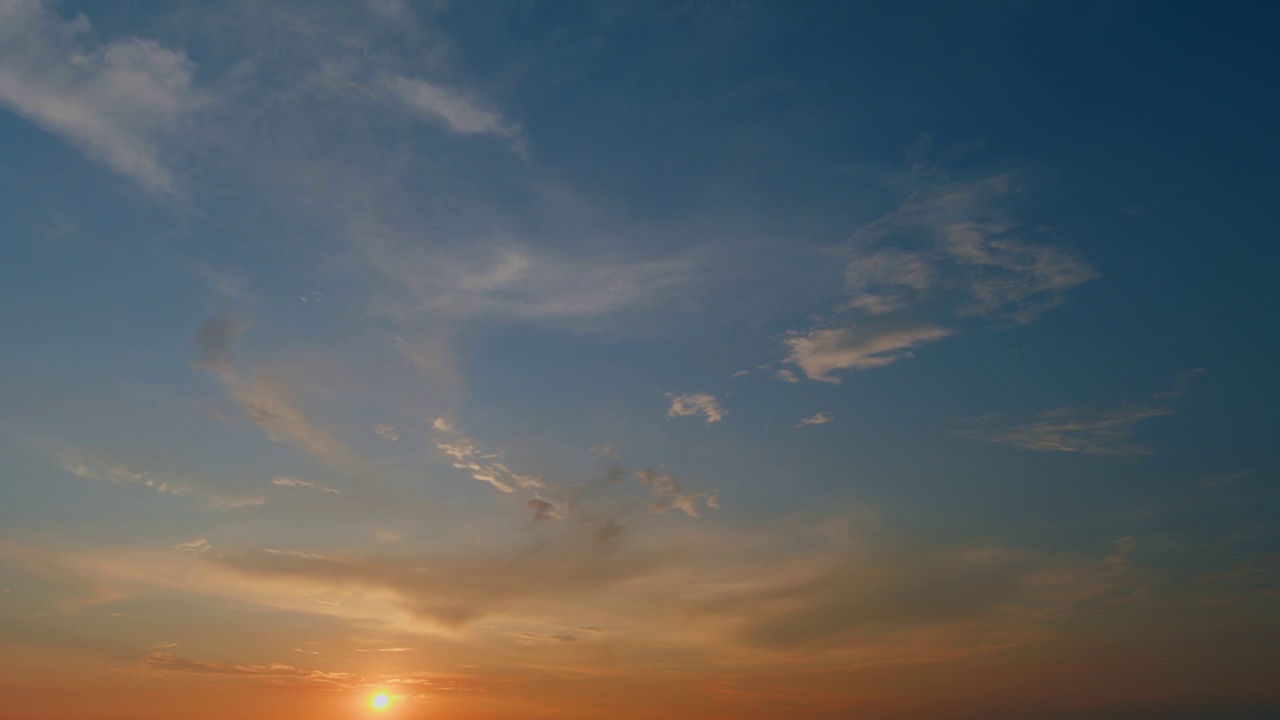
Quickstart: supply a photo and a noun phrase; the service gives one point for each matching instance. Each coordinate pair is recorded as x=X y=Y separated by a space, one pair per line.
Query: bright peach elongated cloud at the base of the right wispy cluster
x=822 y=352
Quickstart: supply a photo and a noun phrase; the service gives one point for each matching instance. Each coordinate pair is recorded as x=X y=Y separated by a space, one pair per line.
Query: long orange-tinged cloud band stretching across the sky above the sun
x=719 y=596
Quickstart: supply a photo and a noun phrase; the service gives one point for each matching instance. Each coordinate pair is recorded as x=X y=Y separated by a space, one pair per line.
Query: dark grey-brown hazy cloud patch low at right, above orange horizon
x=970 y=599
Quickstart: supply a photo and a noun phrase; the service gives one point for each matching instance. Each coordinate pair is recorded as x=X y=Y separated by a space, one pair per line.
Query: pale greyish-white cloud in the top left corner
x=118 y=103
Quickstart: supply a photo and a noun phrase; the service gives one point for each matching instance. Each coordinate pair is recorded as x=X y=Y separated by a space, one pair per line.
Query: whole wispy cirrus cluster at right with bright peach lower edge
x=953 y=253
